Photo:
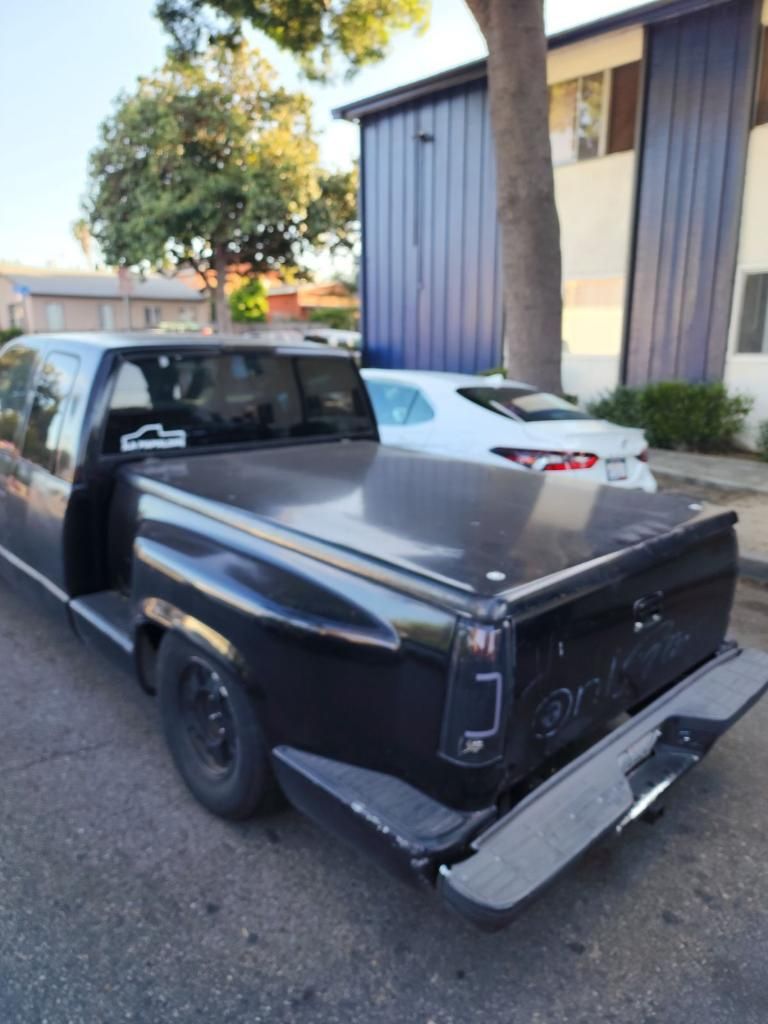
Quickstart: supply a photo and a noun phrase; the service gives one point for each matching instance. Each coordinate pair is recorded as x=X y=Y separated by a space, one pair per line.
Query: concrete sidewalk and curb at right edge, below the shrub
x=741 y=485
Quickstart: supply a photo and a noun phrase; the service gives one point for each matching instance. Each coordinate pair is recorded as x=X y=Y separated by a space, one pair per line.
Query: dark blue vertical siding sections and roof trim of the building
x=432 y=290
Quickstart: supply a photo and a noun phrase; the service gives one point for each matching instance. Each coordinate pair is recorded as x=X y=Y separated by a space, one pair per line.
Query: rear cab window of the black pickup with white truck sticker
x=192 y=401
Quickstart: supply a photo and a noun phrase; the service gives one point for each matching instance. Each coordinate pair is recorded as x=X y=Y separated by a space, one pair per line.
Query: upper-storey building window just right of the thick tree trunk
x=594 y=115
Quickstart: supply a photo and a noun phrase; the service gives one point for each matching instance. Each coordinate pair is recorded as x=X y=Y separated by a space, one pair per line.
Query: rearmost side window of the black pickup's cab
x=55 y=381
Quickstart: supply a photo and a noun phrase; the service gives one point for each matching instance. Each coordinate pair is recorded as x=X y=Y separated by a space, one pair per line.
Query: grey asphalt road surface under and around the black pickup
x=121 y=900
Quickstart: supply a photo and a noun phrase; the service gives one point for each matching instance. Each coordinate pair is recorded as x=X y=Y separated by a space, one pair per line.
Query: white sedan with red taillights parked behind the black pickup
x=503 y=422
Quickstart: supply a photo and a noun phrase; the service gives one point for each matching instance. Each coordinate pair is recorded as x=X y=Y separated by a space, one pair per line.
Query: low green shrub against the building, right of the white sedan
x=679 y=415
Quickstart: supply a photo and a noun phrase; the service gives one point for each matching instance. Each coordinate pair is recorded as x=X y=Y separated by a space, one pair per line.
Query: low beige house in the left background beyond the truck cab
x=38 y=301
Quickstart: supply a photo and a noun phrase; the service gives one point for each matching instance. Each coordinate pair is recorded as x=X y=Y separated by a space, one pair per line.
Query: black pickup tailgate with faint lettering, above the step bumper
x=607 y=639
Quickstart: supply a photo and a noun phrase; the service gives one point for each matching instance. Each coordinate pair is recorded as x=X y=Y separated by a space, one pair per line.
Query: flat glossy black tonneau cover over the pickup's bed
x=483 y=530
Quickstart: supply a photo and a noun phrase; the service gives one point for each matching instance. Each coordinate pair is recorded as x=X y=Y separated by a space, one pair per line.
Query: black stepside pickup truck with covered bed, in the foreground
x=472 y=673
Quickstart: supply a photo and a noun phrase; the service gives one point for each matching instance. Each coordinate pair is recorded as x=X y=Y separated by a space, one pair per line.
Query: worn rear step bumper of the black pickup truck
x=607 y=788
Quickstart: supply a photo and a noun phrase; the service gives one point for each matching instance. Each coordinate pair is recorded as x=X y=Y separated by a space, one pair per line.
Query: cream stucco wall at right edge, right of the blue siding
x=749 y=373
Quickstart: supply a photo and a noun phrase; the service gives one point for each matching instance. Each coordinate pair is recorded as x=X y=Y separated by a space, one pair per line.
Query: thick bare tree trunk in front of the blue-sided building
x=531 y=234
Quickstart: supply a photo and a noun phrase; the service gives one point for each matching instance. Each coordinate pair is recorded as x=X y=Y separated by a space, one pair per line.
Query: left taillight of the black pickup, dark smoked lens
x=477 y=703
